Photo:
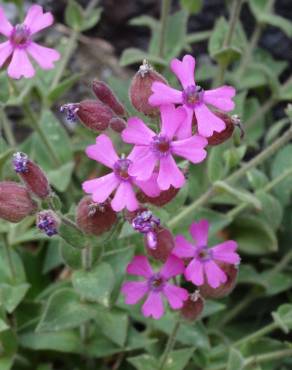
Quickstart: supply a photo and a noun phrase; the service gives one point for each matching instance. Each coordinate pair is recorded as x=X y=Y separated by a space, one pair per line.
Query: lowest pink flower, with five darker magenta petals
x=155 y=285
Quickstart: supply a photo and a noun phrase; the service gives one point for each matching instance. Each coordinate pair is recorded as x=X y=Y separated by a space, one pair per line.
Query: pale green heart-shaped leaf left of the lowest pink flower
x=95 y=285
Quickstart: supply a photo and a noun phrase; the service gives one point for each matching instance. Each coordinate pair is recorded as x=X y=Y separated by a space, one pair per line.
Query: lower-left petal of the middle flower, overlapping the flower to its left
x=143 y=167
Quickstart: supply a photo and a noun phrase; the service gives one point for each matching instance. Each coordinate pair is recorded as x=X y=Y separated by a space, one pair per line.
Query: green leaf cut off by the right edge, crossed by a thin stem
x=282 y=162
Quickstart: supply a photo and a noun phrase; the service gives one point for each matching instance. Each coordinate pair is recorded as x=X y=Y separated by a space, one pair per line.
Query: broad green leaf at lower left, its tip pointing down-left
x=64 y=310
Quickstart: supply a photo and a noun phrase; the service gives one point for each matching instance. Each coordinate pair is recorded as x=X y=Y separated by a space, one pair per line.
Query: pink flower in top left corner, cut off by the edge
x=20 y=44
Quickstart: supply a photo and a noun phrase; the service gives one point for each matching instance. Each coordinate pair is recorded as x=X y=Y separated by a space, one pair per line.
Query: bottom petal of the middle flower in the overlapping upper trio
x=169 y=174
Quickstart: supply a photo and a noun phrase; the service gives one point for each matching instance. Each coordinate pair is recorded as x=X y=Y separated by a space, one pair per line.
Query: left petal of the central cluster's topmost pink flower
x=163 y=94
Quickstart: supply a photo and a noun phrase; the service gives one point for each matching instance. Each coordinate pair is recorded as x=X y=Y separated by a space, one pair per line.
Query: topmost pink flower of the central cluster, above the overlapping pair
x=194 y=99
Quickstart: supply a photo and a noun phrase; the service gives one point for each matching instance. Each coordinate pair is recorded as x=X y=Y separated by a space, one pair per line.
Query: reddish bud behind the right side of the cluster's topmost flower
x=231 y=122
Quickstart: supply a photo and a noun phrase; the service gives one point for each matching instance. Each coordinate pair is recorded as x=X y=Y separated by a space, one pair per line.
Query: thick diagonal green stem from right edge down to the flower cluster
x=237 y=175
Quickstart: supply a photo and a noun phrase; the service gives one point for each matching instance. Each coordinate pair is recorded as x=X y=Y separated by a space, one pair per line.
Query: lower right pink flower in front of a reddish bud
x=203 y=264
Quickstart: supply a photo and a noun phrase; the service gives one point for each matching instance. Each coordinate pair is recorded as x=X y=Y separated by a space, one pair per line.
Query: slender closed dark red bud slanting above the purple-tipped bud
x=106 y=95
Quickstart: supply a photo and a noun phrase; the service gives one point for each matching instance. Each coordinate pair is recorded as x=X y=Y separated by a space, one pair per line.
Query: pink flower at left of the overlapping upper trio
x=119 y=180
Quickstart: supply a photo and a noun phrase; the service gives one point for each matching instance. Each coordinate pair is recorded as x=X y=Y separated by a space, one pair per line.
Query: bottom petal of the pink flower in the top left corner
x=20 y=65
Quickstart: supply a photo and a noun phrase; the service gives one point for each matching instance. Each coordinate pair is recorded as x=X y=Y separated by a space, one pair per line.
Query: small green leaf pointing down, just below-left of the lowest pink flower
x=113 y=324
